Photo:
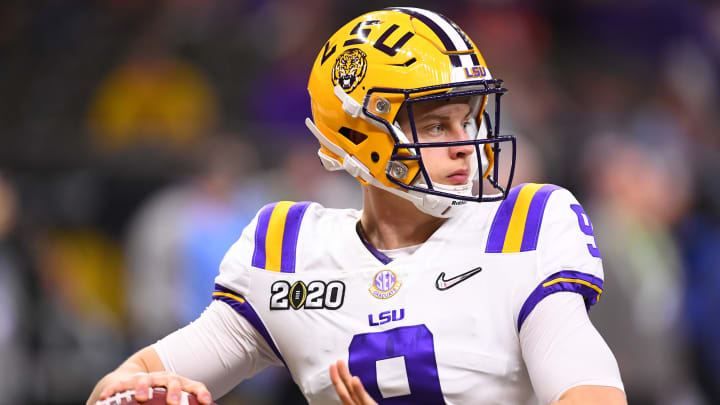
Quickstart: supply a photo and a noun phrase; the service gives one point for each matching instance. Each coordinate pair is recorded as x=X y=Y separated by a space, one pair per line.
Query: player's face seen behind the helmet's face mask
x=443 y=121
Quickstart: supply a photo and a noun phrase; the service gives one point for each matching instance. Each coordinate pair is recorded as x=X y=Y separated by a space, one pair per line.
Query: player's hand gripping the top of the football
x=142 y=383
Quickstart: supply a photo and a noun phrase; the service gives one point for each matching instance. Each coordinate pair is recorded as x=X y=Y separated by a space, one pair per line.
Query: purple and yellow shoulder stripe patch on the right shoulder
x=516 y=225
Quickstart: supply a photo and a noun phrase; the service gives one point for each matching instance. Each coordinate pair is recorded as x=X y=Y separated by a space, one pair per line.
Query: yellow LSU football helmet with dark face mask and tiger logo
x=381 y=62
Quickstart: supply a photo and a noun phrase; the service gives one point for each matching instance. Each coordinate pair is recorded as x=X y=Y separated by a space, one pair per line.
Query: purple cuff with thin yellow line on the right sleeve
x=540 y=292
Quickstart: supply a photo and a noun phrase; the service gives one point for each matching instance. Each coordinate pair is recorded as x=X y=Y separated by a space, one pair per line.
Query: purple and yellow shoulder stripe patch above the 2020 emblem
x=276 y=235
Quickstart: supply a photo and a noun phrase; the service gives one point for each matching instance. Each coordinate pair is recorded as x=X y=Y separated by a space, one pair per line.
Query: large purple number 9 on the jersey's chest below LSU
x=386 y=353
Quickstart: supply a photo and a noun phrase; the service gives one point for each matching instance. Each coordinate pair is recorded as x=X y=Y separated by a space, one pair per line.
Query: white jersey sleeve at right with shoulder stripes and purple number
x=548 y=224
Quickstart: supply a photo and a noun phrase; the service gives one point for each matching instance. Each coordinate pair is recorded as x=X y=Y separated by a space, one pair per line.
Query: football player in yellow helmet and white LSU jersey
x=449 y=286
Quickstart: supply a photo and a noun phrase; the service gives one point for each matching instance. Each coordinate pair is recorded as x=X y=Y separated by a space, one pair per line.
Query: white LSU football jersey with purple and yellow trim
x=440 y=325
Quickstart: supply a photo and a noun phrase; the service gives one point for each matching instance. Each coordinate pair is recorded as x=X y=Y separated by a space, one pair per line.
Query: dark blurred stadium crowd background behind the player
x=139 y=138
